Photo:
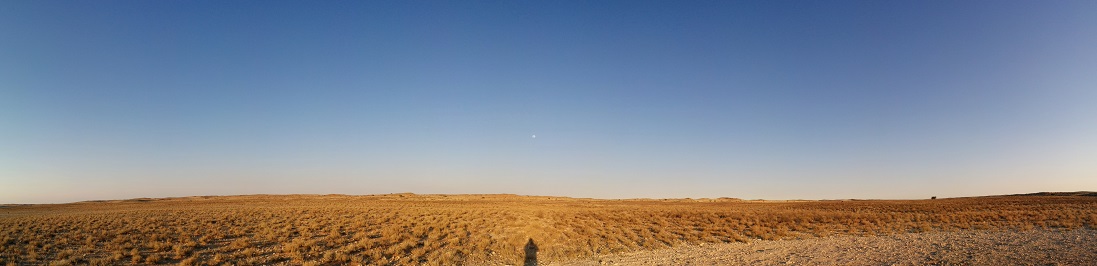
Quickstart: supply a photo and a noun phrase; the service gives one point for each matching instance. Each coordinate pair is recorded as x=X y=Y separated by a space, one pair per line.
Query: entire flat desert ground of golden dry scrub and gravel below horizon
x=499 y=229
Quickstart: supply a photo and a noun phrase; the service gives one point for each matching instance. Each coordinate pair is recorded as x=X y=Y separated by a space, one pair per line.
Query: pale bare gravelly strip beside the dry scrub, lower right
x=965 y=248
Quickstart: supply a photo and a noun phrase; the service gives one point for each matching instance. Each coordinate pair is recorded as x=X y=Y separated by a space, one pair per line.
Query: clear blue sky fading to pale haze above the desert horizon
x=627 y=99
